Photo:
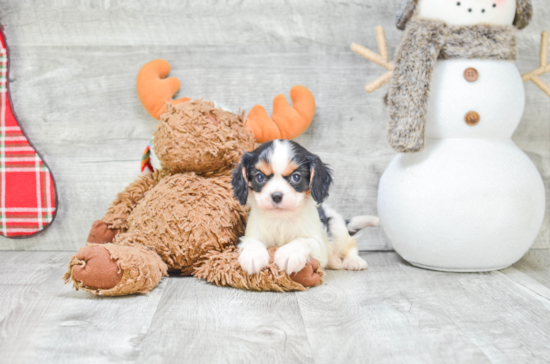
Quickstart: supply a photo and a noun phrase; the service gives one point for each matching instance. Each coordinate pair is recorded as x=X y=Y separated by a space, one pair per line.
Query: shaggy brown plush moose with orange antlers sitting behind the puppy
x=184 y=216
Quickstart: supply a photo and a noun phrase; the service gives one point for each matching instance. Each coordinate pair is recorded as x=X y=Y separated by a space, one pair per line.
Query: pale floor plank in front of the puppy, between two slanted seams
x=201 y=323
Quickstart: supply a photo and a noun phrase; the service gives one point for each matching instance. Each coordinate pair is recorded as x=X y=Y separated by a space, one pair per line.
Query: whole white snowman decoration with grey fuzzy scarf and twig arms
x=460 y=195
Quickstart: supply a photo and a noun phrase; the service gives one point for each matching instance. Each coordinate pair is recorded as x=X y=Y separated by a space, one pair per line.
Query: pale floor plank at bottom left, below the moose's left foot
x=49 y=322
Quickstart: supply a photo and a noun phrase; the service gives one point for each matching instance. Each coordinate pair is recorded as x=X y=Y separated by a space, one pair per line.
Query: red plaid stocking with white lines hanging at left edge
x=27 y=191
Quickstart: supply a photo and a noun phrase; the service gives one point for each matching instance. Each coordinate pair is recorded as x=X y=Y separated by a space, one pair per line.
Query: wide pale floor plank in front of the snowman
x=397 y=313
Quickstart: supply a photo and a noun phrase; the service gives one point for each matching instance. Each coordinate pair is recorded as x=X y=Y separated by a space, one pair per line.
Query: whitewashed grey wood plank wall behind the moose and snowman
x=74 y=63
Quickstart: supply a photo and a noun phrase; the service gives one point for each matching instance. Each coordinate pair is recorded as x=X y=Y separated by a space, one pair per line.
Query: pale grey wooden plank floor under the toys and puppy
x=391 y=313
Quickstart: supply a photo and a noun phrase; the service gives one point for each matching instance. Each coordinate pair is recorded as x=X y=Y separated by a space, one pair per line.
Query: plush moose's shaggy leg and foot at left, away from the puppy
x=115 y=270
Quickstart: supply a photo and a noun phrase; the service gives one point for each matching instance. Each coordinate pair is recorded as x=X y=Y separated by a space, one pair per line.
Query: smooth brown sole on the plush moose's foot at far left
x=97 y=270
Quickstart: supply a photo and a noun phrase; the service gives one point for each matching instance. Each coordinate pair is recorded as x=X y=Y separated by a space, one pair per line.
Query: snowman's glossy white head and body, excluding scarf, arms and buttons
x=471 y=200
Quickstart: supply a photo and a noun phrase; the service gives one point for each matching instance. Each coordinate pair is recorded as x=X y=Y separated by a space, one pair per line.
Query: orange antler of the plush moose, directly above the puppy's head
x=286 y=122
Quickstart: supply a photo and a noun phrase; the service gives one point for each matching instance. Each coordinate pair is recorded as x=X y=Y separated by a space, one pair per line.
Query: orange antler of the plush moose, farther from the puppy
x=154 y=90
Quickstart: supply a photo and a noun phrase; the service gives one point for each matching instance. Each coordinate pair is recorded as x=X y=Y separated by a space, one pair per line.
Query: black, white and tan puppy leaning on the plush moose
x=288 y=185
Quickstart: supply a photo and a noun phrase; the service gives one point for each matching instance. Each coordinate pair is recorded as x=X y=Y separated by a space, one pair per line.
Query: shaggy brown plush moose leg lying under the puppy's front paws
x=223 y=269
